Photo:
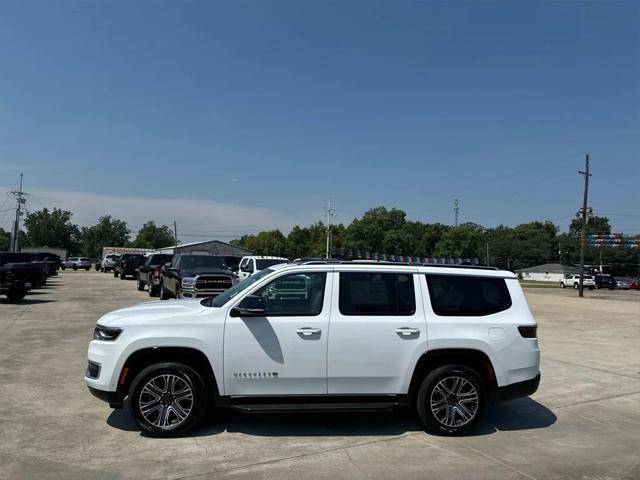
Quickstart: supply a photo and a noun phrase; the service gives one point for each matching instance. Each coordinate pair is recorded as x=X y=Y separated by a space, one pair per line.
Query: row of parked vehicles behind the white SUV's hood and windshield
x=186 y=275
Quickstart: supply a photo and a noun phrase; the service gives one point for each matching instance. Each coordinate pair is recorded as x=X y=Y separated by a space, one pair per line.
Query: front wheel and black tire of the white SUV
x=185 y=381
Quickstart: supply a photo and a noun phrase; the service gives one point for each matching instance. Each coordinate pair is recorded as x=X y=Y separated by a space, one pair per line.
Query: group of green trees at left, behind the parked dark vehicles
x=54 y=228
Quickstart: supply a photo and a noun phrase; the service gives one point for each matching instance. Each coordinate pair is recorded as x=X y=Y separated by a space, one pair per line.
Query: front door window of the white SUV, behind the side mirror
x=297 y=294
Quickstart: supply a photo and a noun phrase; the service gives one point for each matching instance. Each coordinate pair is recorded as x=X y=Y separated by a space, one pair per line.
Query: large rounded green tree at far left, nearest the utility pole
x=52 y=229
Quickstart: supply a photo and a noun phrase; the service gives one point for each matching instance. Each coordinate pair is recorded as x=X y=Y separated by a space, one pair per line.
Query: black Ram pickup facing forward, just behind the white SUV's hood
x=195 y=276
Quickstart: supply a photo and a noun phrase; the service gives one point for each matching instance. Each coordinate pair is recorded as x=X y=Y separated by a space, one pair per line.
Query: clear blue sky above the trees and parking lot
x=242 y=115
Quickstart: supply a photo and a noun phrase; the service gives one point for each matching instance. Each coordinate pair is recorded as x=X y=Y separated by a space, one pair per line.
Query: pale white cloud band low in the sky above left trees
x=202 y=218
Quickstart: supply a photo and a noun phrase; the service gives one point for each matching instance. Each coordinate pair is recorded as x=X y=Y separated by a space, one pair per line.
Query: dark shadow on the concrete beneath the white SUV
x=523 y=414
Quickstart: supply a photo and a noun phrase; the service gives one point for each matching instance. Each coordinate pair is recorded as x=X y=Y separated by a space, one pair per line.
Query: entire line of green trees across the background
x=379 y=230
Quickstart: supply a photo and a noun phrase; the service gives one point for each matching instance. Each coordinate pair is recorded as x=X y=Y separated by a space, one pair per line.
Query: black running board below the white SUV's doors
x=314 y=407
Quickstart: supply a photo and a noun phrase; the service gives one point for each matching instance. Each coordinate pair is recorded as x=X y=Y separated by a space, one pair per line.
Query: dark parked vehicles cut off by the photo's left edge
x=22 y=272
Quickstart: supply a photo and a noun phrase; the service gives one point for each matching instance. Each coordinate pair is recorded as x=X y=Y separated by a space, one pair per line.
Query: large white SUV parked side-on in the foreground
x=324 y=336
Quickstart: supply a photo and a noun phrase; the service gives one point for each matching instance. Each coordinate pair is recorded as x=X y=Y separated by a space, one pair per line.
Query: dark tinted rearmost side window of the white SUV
x=457 y=295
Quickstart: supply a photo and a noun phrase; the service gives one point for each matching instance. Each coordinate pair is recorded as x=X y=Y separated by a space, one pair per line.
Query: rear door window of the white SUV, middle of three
x=377 y=294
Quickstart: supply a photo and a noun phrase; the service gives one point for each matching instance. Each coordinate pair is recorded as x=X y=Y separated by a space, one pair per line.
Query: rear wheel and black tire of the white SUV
x=430 y=400
